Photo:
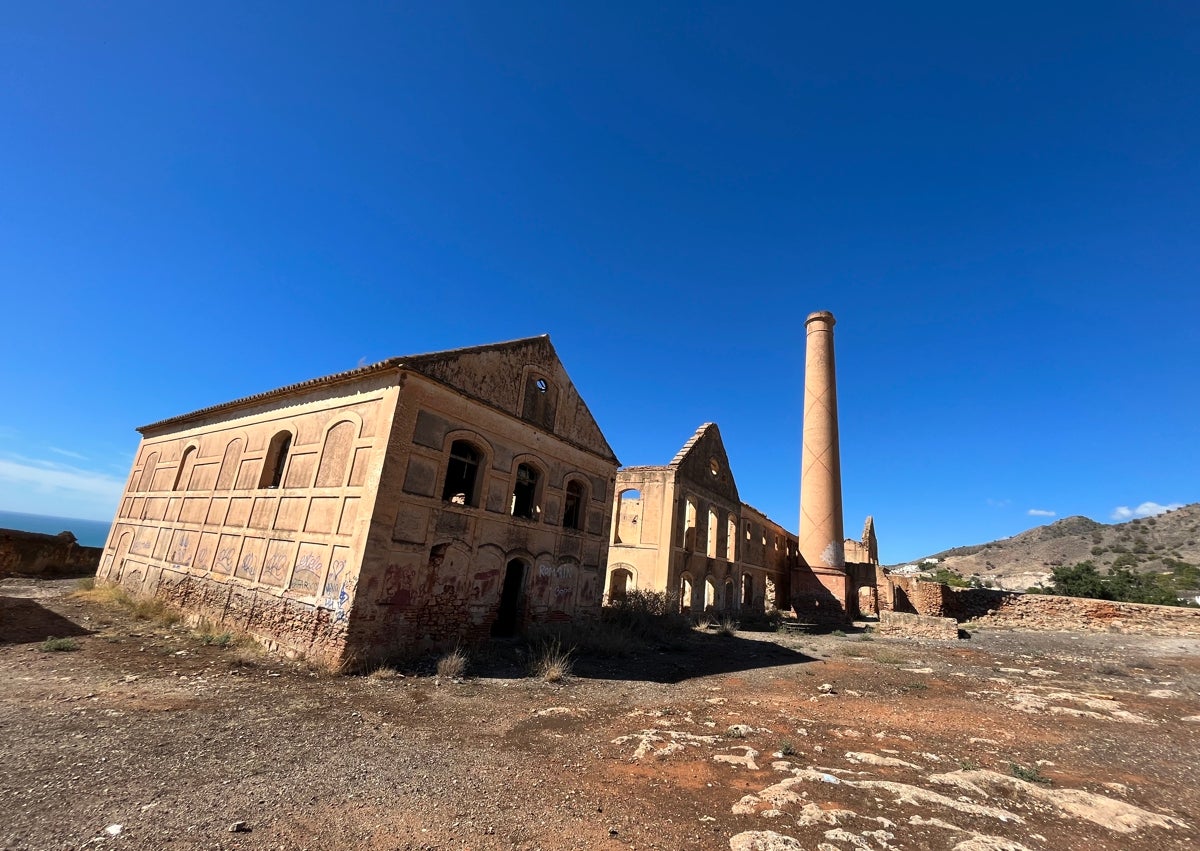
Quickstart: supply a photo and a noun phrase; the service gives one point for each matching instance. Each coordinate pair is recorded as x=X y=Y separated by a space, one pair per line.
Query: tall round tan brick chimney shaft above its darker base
x=821 y=534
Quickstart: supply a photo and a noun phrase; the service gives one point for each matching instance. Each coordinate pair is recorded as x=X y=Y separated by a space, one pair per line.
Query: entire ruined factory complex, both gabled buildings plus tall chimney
x=451 y=496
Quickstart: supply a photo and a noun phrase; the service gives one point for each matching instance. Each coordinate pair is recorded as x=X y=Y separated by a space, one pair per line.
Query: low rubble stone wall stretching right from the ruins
x=1040 y=612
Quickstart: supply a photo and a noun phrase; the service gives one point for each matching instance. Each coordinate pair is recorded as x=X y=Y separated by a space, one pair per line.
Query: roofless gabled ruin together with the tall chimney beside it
x=682 y=529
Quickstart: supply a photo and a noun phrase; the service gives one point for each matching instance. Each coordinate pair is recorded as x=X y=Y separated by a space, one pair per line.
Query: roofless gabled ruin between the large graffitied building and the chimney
x=682 y=529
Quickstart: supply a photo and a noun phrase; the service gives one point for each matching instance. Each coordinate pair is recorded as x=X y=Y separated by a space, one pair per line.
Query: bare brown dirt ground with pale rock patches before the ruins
x=147 y=738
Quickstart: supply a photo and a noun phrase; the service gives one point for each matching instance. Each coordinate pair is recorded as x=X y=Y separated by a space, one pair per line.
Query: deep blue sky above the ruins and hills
x=999 y=202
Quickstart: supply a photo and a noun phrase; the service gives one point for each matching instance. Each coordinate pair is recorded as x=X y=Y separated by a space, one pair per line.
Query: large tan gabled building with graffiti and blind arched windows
x=412 y=504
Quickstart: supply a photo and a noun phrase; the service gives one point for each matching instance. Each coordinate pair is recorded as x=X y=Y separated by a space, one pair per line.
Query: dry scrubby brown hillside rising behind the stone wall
x=1027 y=560
